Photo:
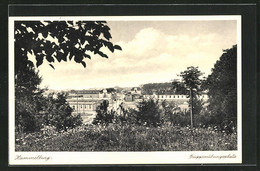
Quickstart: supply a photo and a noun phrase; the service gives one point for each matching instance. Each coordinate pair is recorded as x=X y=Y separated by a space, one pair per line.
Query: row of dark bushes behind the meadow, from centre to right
x=152 y=113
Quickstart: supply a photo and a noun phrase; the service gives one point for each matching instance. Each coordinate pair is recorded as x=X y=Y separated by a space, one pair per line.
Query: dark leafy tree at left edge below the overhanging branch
x=28 y=100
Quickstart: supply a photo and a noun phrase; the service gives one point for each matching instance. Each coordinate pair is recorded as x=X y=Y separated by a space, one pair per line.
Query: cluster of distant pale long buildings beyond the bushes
x=85 y=102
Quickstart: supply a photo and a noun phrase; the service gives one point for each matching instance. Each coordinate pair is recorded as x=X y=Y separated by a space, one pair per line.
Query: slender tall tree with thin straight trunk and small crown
x=192 y=82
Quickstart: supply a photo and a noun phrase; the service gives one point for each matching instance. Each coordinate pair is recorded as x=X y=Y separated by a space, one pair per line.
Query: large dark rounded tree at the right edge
x=222 y=88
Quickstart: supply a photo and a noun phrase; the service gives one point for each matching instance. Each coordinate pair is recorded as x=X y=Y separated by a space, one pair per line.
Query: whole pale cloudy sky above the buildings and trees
x=152 y=51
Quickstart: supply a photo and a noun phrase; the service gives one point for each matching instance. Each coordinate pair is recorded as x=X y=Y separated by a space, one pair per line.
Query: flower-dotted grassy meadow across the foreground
x=128 y=138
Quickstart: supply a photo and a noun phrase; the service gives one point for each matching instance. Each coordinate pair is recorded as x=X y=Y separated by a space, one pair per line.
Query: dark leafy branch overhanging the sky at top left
x=60 y=40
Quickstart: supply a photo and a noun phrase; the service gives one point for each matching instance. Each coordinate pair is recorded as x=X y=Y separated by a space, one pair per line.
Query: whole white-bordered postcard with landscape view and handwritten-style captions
x=125 y=90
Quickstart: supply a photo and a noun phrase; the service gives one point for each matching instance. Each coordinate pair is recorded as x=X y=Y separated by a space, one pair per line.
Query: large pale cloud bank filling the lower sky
x=151 y=56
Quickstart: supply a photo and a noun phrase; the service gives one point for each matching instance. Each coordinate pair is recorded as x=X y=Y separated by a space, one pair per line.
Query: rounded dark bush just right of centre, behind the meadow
x=148 y=113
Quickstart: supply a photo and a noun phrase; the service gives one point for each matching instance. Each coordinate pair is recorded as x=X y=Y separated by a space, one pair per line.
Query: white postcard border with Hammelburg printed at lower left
x=177 y=157
